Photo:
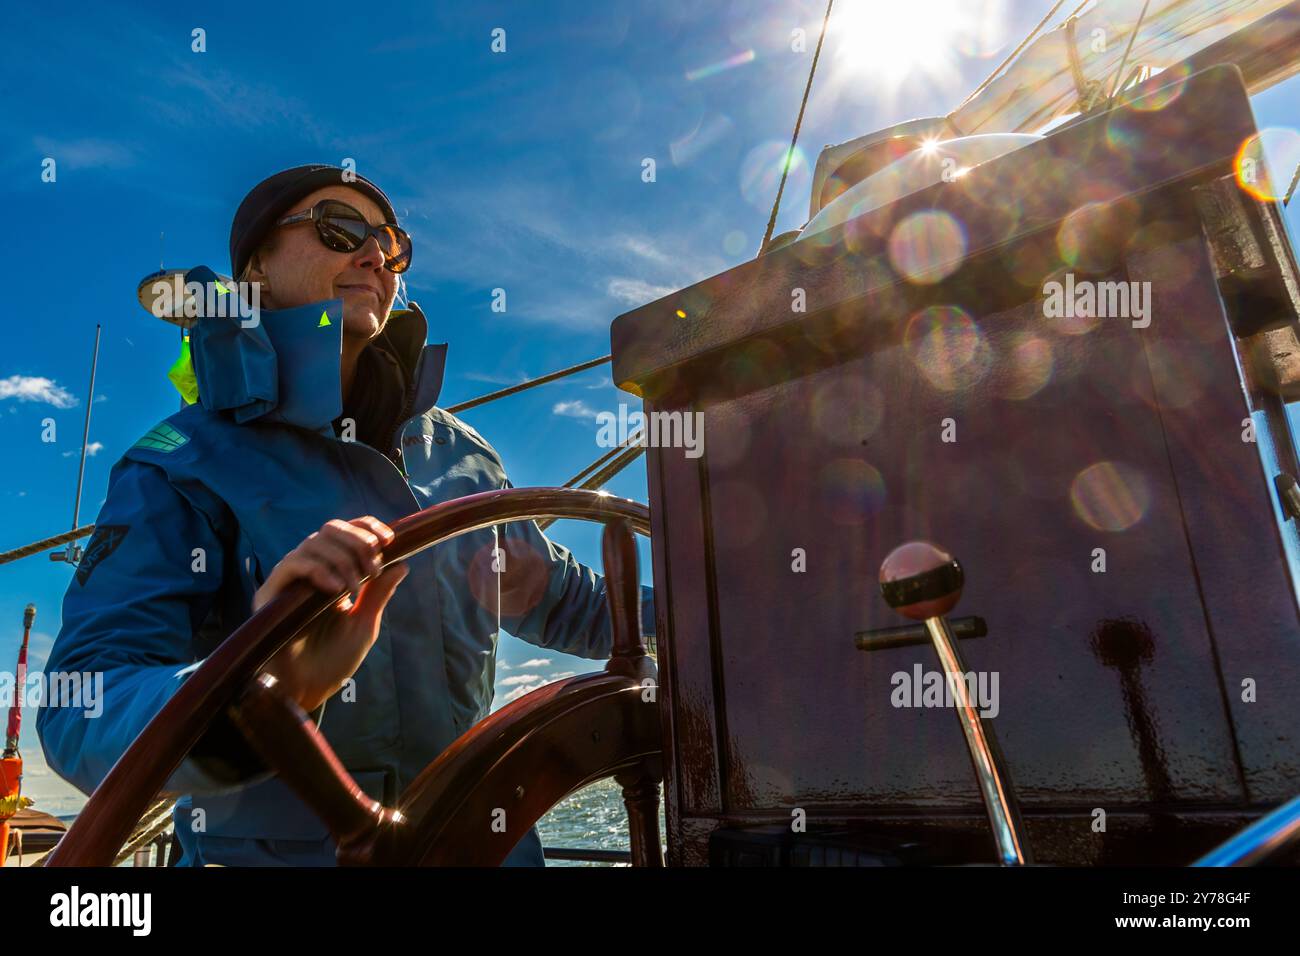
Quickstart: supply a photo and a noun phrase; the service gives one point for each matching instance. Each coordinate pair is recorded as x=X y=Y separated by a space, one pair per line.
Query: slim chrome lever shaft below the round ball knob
x=995 y=782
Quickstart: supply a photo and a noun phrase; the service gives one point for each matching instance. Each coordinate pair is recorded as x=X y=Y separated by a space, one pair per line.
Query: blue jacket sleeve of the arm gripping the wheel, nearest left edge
x=129 y=624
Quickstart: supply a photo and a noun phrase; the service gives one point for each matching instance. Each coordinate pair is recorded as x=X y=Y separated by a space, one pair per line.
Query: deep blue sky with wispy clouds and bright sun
x=518 y=171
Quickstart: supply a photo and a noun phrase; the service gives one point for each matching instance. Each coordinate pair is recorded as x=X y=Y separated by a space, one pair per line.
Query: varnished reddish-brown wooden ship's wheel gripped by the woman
x=482 y=795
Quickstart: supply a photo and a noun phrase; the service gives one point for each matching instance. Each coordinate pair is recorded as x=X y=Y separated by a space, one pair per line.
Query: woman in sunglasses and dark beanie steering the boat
x=310 y=427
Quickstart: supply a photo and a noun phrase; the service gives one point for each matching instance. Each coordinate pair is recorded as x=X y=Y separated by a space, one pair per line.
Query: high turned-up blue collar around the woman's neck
x=287 y=367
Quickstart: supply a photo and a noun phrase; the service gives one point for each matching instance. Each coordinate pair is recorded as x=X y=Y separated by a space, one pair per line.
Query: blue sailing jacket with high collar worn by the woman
x=202 y=509
